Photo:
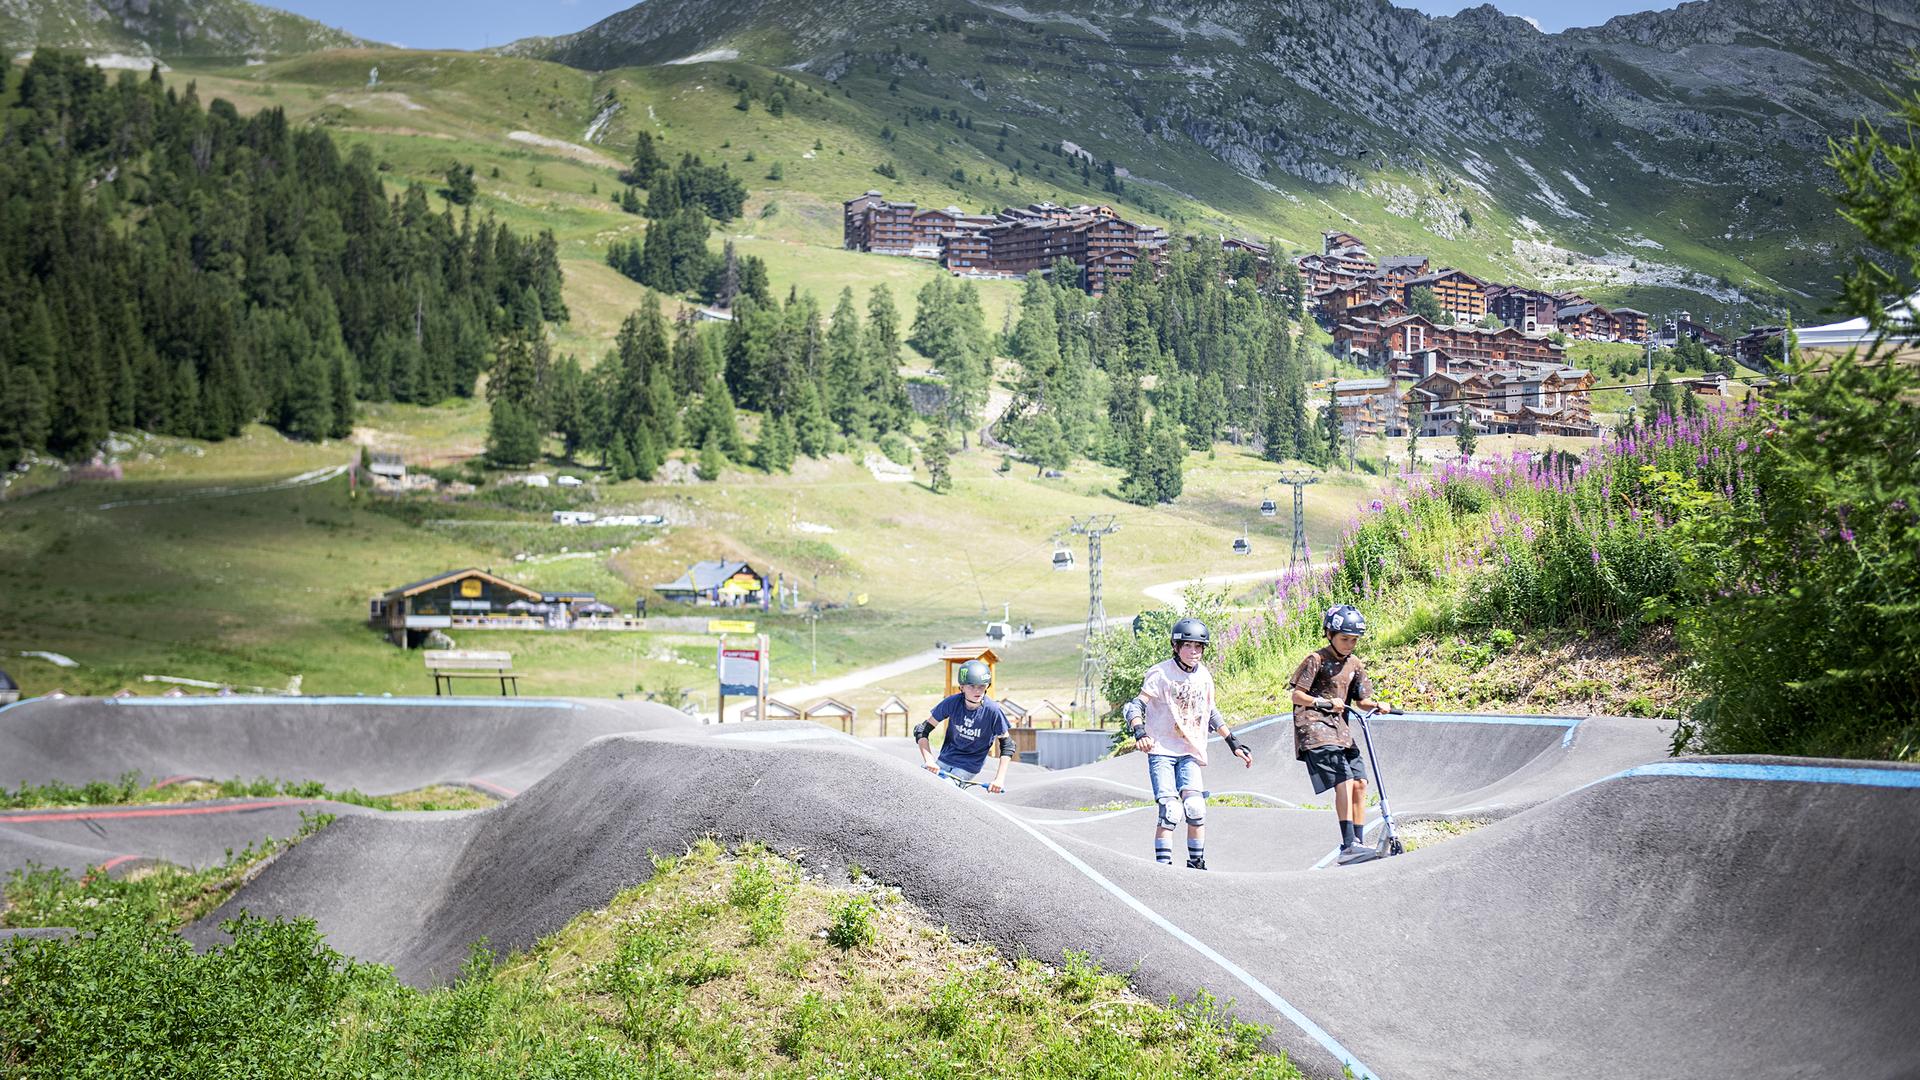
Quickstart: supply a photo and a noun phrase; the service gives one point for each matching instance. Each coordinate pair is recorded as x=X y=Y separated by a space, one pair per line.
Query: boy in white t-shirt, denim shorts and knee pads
x=1170 y=722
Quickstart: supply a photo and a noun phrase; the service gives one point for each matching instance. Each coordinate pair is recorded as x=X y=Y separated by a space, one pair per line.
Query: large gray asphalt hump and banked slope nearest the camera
x=1596 y=935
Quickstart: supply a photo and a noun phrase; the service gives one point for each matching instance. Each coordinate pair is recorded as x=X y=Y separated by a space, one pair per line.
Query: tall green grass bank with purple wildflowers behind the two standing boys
x=1487 y=547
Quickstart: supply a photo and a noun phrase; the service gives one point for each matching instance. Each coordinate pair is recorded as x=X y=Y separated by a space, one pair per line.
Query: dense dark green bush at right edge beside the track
x=1808 y=633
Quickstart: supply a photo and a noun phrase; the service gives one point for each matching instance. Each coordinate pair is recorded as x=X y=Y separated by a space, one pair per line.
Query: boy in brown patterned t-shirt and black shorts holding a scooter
x=1322 y=689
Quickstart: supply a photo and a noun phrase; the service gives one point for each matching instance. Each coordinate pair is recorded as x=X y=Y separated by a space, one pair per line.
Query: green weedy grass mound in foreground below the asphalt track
x=667 y=981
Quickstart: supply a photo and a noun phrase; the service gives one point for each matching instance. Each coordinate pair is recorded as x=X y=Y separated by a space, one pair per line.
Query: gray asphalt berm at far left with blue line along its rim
x=370 y=745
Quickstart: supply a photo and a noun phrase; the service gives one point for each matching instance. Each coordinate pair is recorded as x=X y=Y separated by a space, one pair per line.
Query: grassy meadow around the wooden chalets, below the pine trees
x=260 y=589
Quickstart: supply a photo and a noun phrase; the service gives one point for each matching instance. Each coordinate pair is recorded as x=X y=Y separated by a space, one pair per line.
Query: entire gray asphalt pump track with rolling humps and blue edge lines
x=1623 y=916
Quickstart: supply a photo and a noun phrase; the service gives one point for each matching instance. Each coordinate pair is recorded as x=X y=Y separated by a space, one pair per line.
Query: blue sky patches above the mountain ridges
x=479 y=24
